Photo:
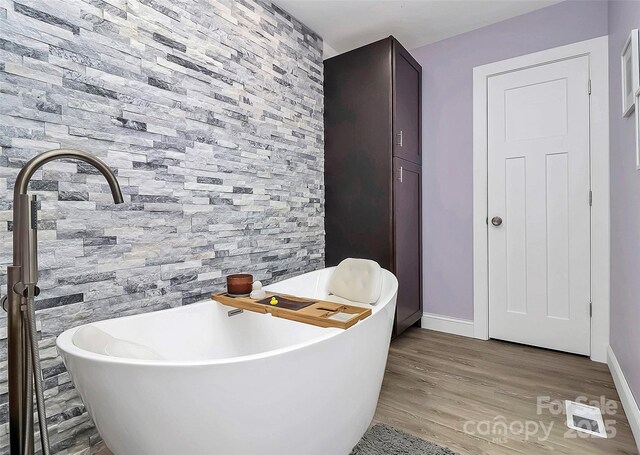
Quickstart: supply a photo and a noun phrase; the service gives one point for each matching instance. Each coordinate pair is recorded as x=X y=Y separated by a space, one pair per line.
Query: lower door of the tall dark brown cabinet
x=408 y=242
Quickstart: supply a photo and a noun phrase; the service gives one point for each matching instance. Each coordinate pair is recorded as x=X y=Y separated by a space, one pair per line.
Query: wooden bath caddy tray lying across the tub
x=309 y=311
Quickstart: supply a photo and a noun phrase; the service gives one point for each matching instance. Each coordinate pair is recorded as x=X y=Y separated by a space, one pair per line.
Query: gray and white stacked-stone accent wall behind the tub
x=211 y=112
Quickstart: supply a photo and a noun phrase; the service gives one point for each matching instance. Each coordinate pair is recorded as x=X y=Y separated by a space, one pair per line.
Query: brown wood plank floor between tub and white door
x=436 y=382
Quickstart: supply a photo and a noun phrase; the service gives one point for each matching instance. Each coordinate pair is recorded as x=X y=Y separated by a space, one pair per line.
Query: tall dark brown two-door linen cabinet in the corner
x=373 y=136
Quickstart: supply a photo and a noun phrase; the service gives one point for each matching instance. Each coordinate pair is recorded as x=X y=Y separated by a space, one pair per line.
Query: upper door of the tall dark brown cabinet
x=407 y=106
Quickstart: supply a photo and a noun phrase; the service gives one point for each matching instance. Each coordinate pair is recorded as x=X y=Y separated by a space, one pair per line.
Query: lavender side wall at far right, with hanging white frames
x=625 y=206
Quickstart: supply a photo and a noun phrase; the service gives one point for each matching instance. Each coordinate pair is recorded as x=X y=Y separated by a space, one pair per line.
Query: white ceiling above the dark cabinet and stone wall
x=348 y=24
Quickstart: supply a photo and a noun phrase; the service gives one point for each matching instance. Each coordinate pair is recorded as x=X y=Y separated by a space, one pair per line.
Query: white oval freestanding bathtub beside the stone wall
x=243 y=384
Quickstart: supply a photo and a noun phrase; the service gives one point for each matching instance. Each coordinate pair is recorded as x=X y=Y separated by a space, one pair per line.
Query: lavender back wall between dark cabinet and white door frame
x=447 y=136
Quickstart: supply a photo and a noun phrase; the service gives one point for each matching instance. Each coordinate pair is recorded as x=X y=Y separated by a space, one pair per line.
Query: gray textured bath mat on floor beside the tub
x=382 y=439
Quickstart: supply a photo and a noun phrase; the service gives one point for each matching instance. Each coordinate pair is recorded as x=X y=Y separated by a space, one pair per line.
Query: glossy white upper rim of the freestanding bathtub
x=65 y=345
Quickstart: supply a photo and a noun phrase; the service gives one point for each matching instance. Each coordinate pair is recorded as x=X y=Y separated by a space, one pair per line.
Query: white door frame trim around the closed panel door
x=597 y=50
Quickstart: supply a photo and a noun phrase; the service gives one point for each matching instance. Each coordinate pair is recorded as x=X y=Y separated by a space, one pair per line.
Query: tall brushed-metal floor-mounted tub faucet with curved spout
x=25 y=373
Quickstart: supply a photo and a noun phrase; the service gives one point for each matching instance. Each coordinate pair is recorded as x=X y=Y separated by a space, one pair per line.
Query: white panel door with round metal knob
x=539 y=209
